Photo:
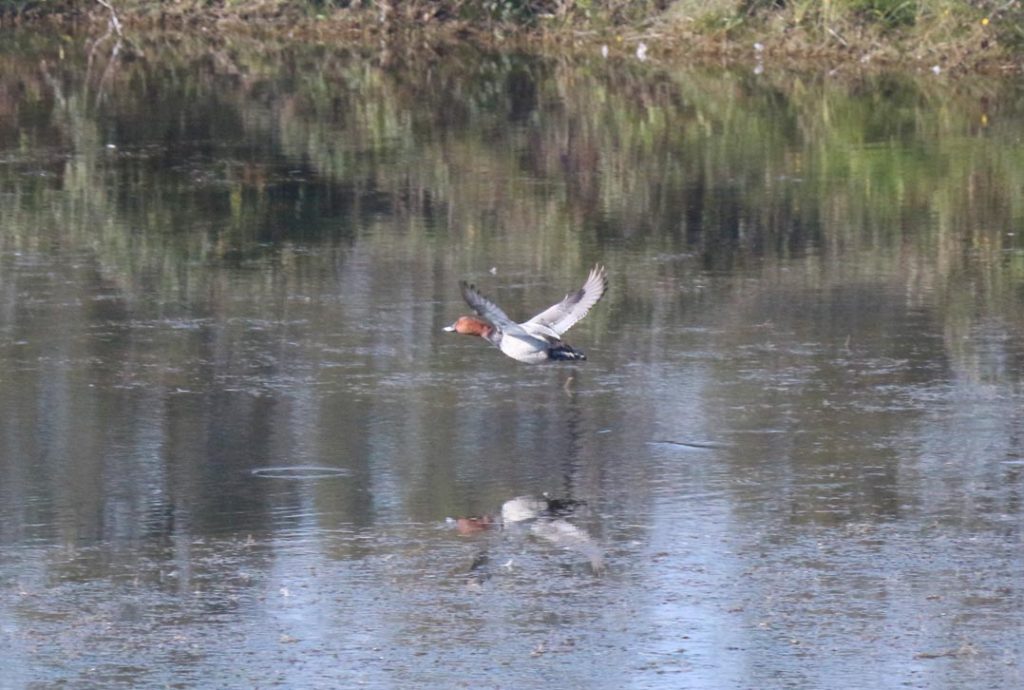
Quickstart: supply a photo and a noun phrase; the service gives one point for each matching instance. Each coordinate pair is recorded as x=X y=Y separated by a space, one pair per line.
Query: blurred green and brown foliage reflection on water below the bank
x=230 y=152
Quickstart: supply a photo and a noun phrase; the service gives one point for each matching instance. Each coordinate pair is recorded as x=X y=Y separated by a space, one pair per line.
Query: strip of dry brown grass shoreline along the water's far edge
x=667 y=38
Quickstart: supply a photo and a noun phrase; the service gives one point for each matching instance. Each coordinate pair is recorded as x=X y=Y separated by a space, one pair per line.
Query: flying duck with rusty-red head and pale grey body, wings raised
x=538 y=340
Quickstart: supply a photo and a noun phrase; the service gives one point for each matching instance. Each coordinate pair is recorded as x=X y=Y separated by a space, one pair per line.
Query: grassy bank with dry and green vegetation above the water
x=951 y=36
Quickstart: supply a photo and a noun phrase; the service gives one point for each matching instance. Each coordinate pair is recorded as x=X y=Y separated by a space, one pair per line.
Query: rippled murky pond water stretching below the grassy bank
x=233 y=433
